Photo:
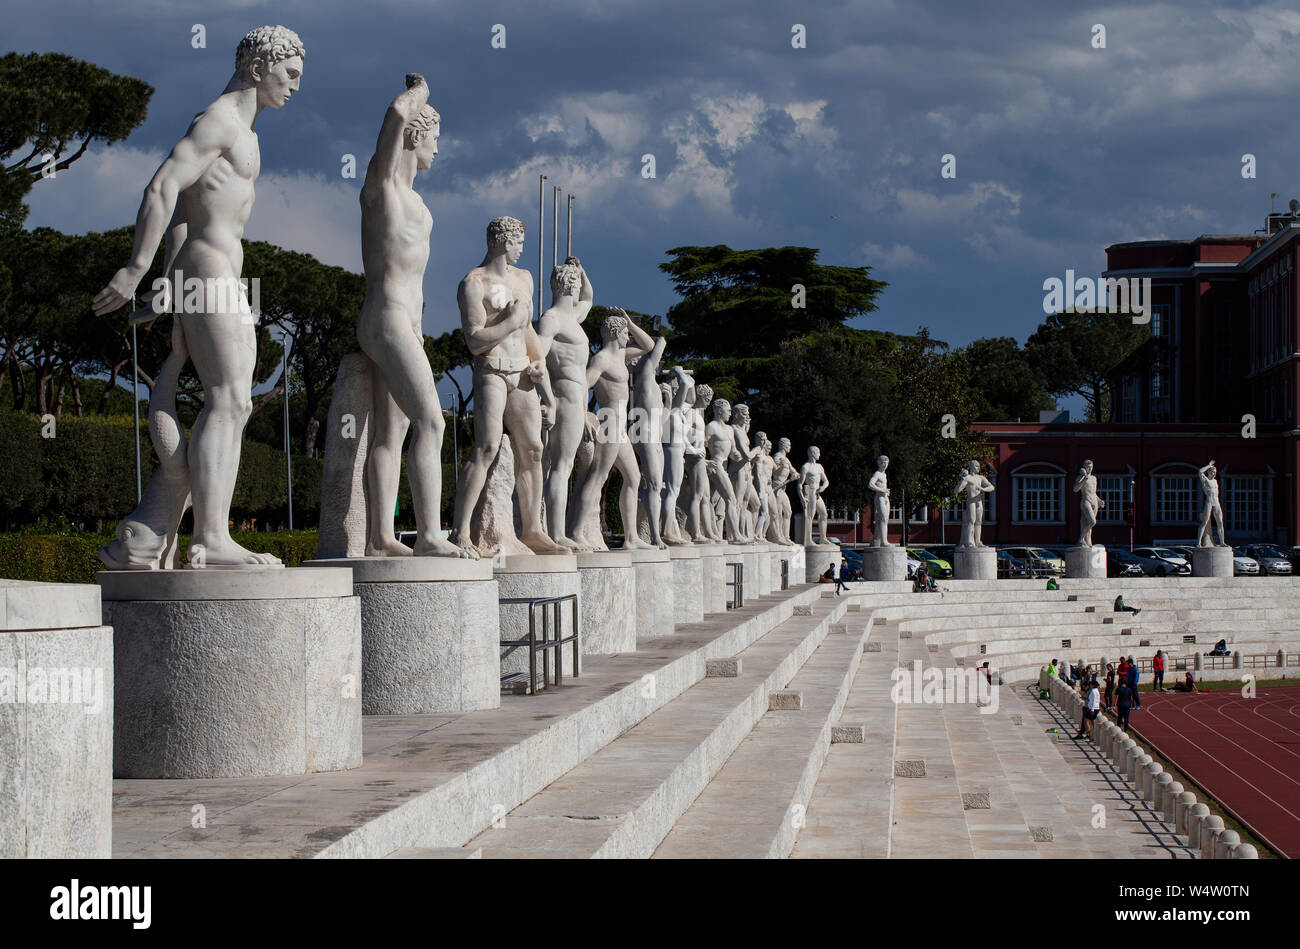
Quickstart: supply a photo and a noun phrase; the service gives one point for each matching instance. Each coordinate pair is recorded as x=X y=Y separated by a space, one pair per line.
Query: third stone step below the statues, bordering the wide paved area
x=851 y=809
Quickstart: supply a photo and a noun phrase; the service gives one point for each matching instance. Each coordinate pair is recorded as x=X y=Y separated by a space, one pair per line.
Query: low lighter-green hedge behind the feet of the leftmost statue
x=70 y=558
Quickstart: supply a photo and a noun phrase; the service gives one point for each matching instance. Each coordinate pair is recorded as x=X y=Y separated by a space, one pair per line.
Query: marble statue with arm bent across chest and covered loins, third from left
x=512 y=387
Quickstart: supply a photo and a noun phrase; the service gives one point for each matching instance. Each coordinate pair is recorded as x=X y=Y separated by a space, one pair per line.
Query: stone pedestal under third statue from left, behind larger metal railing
x=532 y=577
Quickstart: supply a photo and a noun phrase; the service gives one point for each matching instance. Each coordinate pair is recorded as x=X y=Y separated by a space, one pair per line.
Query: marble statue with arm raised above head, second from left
x=396 y=227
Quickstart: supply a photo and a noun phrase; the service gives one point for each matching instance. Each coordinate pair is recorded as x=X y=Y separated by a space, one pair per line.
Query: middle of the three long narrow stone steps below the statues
x=757 y=803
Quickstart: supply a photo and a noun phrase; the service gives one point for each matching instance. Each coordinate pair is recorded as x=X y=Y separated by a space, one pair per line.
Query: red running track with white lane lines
x=1243 y=752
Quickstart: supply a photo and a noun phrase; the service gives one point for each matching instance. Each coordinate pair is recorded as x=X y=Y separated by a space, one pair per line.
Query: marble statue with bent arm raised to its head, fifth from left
x=608 y=376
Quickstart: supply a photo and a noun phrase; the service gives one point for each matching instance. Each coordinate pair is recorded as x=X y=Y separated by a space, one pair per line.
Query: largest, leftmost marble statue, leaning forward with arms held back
x=200 y=200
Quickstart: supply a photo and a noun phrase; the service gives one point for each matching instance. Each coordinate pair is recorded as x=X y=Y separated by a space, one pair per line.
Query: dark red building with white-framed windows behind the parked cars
x=1224 y=345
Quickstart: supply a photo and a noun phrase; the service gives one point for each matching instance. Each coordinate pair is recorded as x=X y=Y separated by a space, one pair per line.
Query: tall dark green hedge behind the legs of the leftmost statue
x=86 y=474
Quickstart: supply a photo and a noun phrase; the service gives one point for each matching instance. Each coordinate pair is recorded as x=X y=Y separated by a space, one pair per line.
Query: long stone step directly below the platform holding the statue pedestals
x=623 y=800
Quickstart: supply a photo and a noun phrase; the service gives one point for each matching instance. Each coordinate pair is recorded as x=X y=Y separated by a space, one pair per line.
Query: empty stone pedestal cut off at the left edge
x=57 y=723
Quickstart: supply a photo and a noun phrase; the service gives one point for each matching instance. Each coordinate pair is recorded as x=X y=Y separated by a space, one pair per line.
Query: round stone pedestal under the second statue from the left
x=430 y=635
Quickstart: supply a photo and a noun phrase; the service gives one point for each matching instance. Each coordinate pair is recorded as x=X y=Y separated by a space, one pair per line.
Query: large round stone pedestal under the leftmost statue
x=235 y=673
